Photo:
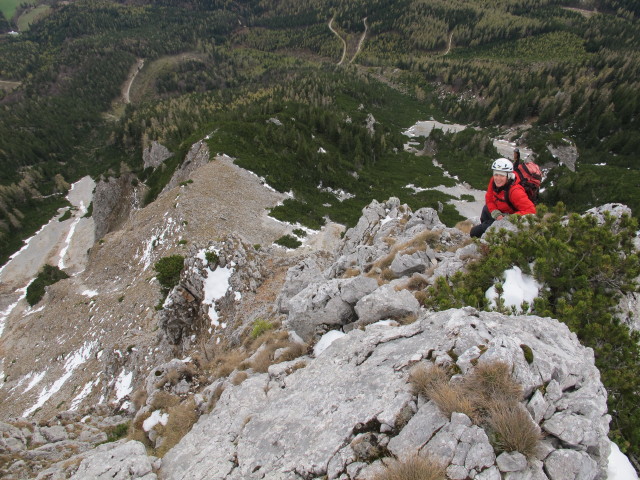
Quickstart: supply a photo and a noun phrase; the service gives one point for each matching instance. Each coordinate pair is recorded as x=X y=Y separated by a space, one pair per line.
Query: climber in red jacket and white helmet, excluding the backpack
x=504 y=196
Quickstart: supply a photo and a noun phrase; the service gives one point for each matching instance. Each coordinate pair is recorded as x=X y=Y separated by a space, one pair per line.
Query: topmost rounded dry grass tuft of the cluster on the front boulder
x=490 y=383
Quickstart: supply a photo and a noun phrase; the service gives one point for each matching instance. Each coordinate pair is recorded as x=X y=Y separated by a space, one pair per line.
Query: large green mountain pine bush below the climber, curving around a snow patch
x=585 y=267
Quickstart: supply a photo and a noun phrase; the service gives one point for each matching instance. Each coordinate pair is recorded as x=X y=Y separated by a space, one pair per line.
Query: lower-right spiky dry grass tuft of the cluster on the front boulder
x=514 y=429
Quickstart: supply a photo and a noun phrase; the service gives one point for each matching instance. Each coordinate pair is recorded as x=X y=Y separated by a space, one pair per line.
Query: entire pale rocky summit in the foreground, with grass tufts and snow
x=305 y=367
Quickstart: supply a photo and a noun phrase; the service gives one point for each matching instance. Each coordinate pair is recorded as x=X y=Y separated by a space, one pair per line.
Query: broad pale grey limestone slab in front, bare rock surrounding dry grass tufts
x=354 y=401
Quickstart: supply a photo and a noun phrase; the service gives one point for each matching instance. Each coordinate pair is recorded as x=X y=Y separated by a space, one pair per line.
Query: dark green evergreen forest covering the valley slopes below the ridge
x=316 y=111
